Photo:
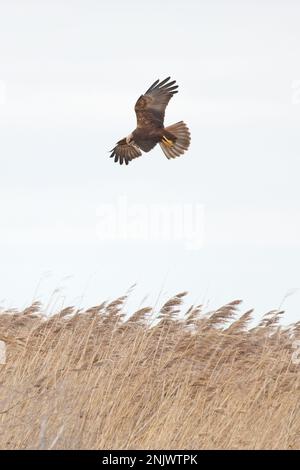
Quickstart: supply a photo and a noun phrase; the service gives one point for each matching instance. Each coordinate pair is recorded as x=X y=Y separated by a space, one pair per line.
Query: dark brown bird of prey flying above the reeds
x=150 y=130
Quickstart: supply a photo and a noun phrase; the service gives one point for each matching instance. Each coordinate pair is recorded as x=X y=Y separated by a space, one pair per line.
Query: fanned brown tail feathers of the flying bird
x=176 y=140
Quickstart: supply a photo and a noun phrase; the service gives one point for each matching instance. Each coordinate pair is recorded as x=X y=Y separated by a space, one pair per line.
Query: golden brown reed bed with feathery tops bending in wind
x=195 y=381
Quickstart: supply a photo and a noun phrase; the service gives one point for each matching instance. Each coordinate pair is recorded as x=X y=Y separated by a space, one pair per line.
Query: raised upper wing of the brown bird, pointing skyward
x=150 y=107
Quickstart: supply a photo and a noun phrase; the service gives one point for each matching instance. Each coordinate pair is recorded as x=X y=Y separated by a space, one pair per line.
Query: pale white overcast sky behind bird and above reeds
x=70 y=73
